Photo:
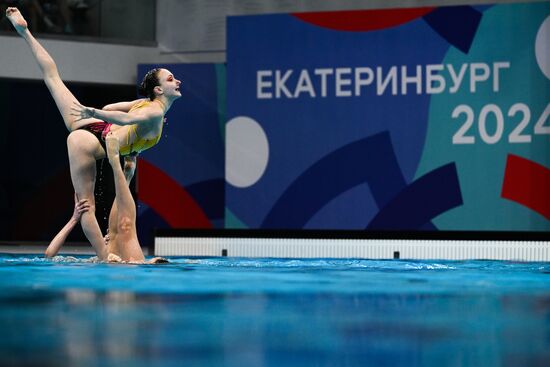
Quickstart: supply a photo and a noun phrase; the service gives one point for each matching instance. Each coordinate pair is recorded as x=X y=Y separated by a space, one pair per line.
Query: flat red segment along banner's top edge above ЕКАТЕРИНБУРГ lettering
x=362 y=20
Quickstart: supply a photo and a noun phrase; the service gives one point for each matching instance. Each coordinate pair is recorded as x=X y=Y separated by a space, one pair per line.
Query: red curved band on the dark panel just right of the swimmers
x=168 y=199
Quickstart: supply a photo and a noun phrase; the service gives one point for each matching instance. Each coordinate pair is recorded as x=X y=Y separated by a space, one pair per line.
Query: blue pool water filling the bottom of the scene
x=273 y=312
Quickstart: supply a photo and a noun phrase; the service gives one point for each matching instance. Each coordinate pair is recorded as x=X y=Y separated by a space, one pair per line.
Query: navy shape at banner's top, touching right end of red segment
x=458 y=25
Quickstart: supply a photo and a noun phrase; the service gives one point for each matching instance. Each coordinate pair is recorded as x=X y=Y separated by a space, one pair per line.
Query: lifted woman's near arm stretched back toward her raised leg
x=139 y=116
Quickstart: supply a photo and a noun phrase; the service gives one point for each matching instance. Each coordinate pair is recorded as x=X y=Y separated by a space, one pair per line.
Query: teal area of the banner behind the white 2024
x=507 y=33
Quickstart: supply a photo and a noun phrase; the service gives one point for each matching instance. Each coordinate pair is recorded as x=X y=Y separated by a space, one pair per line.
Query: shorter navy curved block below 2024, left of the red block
x=424 y=199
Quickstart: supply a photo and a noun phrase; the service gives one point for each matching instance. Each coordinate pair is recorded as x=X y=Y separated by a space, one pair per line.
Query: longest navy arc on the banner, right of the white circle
x=380 y=170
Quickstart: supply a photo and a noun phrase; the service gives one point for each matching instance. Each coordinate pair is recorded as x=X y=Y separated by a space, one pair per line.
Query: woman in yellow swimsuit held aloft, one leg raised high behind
x=137 y=124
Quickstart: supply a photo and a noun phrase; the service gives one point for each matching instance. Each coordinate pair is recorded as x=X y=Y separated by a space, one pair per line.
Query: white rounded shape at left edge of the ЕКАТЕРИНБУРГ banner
x=246 y=151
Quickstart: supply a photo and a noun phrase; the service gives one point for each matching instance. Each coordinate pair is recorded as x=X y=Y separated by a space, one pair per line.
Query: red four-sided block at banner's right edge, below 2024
x=527 y=183
